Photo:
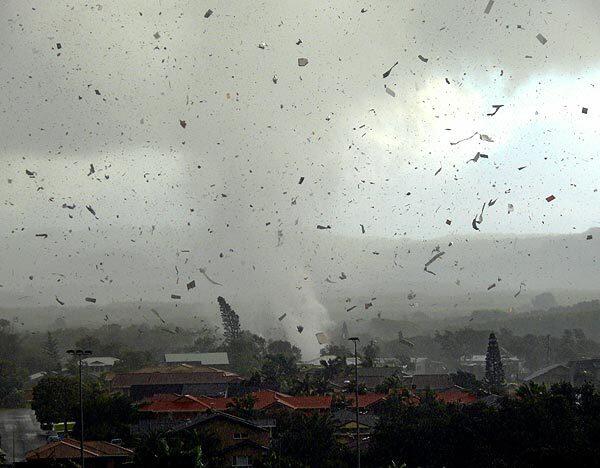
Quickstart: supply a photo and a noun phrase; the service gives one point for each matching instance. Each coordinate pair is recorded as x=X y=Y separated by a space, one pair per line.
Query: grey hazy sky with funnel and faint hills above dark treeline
x=220 y=192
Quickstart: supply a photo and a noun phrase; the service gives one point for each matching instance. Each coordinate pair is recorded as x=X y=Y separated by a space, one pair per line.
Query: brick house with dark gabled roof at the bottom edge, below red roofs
x=241 y=442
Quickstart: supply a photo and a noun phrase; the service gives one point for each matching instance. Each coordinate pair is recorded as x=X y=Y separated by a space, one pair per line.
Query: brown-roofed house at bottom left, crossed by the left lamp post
x=97 y=454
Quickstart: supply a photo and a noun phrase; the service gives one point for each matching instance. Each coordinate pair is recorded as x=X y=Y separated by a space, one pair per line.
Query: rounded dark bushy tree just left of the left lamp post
x=55 y=399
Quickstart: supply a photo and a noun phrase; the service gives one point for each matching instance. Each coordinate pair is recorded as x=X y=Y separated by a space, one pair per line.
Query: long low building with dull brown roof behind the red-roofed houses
x=183 y=379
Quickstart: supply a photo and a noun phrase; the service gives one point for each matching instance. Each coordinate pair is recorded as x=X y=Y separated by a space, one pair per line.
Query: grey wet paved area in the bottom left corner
x=27 y=433
